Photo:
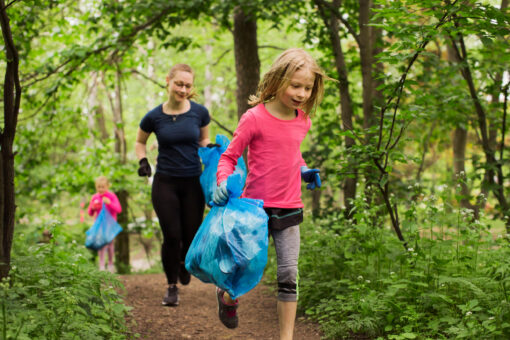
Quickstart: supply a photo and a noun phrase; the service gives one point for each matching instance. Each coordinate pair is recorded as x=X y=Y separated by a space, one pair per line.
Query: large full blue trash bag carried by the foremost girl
x=230 y=247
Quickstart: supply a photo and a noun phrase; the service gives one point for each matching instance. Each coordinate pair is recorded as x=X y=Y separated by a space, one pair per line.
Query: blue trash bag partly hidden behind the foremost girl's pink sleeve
x=210 y=158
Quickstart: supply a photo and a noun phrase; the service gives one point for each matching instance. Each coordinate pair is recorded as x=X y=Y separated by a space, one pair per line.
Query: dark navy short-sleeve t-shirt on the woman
x=177 y=137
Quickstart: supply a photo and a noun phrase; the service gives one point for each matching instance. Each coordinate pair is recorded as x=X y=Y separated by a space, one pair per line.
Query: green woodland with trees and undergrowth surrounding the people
x=407 y=238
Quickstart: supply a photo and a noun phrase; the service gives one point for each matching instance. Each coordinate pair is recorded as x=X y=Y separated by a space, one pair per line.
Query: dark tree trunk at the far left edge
x=11 y=104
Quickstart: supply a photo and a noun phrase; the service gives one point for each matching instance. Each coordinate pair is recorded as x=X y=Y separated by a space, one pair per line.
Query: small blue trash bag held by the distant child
x=103 y=231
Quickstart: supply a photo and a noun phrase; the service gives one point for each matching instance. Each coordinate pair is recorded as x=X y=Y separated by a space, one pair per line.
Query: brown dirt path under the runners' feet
x=196 y=316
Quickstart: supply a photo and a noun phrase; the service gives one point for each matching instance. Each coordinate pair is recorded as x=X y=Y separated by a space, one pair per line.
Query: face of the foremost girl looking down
x=299 y=89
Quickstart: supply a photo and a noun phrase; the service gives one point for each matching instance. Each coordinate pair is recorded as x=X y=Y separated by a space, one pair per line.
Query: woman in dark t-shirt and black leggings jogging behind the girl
x=181 y=126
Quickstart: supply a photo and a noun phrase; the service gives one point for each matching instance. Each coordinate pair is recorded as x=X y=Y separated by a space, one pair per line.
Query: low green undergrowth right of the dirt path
x=452 y=281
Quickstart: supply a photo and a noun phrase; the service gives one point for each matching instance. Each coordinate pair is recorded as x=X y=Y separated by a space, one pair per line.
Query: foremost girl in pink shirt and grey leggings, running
x=273 y=131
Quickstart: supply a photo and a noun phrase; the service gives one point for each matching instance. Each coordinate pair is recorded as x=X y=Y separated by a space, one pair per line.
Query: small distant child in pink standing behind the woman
x=113 y=206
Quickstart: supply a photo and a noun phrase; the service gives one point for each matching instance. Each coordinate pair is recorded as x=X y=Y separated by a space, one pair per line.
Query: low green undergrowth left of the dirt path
x=55 y=292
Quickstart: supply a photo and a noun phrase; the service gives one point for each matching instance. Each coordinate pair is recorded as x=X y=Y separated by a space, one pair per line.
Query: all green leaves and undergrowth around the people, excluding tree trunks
x=452 y=281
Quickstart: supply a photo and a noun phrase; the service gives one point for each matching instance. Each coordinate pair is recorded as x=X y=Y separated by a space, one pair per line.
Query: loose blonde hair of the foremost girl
x=278 y=78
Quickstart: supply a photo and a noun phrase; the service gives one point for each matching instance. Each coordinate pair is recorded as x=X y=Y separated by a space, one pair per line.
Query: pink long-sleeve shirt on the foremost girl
x=274 y=157
